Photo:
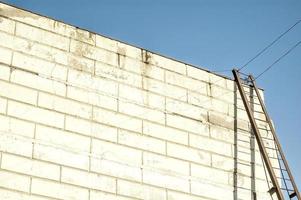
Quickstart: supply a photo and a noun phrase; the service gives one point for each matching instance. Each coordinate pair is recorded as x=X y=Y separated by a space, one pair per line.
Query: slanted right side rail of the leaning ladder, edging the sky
x=275 y=137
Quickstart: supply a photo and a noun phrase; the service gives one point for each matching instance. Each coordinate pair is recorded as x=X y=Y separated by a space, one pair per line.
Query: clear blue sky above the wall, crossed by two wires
x=213 y=34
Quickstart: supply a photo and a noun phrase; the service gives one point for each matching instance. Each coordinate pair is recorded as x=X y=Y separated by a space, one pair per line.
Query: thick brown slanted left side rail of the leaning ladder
x=257 y=134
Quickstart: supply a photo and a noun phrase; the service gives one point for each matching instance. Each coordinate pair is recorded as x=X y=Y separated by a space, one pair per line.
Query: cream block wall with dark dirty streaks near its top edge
x=84 y=117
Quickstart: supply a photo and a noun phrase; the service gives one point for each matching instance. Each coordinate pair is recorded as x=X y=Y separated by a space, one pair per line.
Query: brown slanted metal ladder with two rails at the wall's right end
x=283 y=183
